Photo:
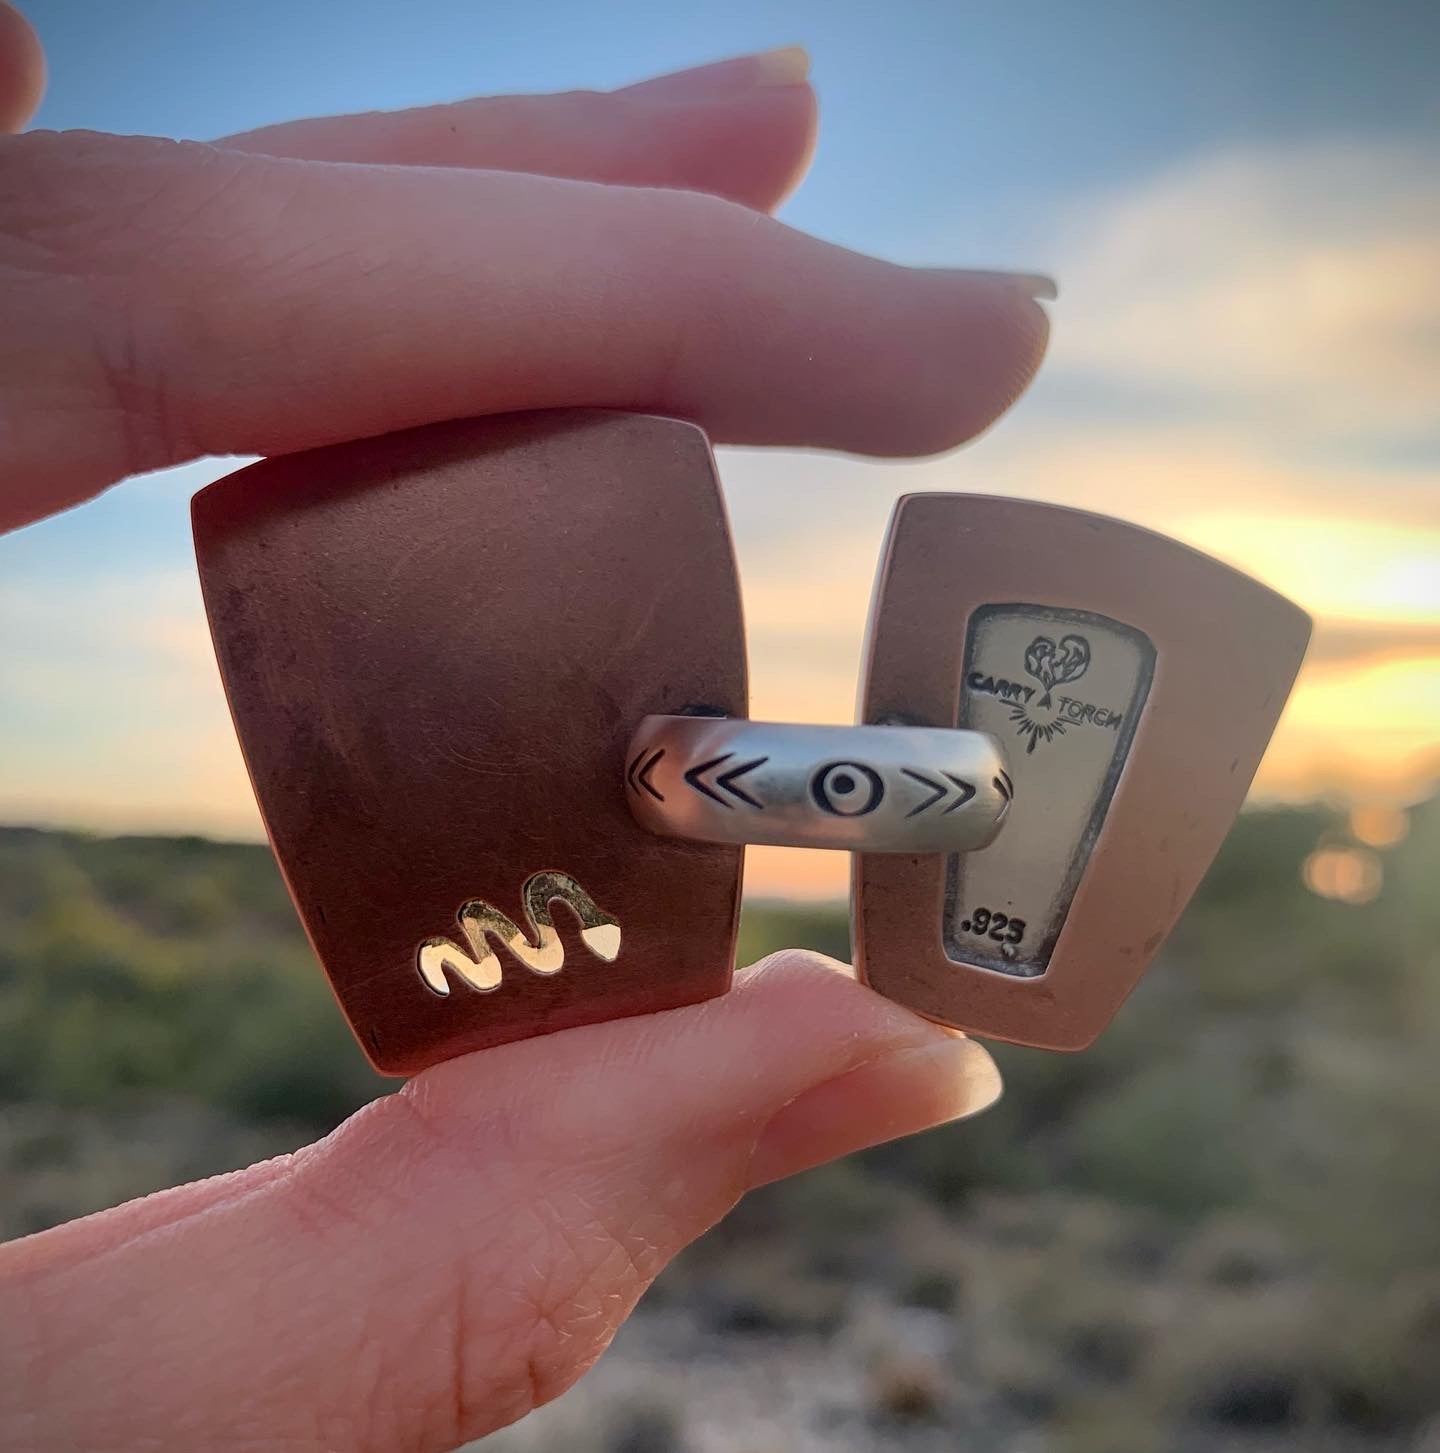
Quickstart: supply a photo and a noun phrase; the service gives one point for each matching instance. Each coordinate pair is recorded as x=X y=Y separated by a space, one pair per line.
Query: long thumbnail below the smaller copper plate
x=900 y=1093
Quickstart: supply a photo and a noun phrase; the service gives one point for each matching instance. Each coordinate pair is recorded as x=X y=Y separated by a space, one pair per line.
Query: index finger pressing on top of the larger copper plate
x=171 y=300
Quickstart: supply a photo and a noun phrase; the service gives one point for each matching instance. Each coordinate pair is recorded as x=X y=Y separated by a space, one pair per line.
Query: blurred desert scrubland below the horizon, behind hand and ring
x=1220 y=1230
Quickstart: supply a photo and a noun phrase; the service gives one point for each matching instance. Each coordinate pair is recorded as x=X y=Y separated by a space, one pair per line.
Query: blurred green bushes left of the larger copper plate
x=165 y=966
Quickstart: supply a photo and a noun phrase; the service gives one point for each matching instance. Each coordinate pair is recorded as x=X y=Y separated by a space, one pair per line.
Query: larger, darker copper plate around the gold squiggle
x=437 y=646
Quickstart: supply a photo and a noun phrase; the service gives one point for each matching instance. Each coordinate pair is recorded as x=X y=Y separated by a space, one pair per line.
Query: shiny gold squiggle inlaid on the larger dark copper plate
x=480 y=968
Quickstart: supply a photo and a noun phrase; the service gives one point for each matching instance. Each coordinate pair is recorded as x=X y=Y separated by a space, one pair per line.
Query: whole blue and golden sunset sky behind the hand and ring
x=1242 y=204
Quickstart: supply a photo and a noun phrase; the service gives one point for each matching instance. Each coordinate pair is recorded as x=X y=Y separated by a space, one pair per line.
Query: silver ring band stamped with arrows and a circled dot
x=864 y=790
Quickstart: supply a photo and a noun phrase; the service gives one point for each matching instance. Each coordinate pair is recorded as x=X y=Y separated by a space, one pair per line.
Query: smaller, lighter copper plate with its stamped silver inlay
x=1133 y=685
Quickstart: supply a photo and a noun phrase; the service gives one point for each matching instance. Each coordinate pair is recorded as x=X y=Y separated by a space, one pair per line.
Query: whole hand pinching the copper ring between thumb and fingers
x=461 y=1252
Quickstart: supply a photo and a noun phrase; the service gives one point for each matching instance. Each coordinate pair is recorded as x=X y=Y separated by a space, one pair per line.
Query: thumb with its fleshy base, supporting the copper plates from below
x=461 y=1252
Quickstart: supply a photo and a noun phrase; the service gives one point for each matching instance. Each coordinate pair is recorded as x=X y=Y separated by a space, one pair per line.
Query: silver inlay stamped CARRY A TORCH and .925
x=1063 y=691
